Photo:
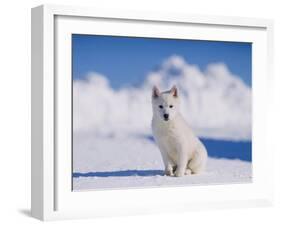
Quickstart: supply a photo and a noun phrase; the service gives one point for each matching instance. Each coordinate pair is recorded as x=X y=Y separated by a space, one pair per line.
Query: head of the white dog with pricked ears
x=165 y=104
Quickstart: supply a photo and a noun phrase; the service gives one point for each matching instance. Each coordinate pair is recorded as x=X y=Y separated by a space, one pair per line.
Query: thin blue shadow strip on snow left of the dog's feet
x=123 y=173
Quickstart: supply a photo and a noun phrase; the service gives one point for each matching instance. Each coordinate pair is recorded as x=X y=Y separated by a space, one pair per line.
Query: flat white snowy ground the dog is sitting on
x=124 y=162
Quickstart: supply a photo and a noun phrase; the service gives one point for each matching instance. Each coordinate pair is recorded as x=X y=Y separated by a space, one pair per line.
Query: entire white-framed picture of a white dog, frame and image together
x=137 y=112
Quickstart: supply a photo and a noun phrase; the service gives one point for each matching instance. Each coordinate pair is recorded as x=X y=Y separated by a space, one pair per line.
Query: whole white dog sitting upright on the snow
x=182 y=152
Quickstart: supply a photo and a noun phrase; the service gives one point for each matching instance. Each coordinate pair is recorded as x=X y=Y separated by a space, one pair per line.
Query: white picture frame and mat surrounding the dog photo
x=52 y=197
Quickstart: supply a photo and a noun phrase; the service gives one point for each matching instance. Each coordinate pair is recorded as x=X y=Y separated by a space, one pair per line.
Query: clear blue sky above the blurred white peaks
x=126 y=60
